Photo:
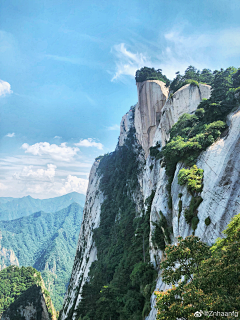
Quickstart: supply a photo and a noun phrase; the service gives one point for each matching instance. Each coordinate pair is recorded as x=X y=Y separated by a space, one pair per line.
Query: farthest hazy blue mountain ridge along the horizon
x=14 y=208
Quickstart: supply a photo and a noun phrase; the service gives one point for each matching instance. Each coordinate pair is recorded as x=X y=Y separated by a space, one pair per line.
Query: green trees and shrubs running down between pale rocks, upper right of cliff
x=193 y=133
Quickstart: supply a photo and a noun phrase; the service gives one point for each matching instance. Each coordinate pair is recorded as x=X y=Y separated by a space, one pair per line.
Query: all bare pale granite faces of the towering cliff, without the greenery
x=153 y=116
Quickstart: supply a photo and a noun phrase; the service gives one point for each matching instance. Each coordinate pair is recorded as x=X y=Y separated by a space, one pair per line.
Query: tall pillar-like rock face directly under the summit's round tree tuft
x=152 y=95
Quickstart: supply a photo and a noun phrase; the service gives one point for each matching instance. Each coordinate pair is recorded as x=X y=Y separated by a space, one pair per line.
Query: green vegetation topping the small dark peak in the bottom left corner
x=18 y=286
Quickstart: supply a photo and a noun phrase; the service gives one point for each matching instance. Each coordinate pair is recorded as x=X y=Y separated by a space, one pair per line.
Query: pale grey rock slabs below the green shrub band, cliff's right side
x=221 y=194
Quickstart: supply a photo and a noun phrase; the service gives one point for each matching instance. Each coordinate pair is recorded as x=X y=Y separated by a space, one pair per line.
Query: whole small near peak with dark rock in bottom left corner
x=23 y=295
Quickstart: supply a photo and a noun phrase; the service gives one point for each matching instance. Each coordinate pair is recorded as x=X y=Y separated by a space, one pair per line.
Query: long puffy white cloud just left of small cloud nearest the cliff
x=61 y=152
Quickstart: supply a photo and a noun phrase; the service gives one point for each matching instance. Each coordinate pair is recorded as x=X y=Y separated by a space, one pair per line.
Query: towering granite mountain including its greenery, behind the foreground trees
x=175 y=172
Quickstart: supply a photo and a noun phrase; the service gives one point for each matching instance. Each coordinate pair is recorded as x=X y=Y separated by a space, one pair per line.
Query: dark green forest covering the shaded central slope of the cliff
x=122 y=279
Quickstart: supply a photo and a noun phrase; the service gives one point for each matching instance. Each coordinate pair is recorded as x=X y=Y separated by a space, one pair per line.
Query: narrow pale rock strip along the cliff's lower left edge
x=86 y=249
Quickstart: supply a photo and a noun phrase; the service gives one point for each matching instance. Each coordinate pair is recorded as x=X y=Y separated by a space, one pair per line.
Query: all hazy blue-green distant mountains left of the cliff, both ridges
x=44 y=240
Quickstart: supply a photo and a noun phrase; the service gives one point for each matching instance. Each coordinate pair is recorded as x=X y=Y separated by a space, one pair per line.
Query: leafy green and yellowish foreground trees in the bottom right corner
x=202 y=278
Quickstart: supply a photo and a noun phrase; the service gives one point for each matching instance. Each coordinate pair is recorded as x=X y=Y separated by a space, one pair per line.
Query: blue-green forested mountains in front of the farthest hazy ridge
x=45 y=241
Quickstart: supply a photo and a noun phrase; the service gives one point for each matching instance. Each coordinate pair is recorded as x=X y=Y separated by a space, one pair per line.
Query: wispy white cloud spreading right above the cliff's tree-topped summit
x=176 y=50
